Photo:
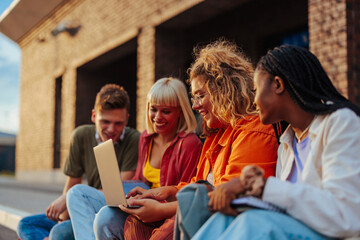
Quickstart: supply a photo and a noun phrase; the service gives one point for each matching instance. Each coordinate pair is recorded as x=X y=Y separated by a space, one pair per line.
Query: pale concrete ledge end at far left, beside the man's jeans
x=10 y=217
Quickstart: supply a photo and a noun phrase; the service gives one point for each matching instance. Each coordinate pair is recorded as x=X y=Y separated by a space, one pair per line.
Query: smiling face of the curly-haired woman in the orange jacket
x=202 y=103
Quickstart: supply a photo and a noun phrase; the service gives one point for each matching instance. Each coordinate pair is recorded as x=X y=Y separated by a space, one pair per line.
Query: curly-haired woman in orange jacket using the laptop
x=221 y=87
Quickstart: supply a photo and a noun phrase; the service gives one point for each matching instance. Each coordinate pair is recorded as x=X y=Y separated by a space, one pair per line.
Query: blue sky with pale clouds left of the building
x=10 y=57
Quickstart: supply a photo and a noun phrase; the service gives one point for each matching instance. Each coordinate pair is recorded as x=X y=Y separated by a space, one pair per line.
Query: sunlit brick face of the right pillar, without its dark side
x=327 y=33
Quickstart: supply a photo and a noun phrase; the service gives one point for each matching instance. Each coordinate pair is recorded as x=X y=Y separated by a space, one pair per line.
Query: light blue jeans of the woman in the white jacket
x=256 y=224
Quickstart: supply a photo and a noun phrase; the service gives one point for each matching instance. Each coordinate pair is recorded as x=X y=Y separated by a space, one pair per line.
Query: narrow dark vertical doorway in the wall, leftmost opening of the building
x=57 y=124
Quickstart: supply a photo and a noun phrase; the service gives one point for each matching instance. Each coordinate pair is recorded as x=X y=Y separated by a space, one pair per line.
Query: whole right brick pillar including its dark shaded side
x=334 y=30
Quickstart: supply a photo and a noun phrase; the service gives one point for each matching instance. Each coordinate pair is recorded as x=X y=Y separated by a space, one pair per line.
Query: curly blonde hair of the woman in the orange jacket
x=228 y=79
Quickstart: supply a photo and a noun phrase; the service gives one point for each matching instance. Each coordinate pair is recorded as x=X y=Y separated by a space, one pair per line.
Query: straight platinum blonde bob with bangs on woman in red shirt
x=171 y=92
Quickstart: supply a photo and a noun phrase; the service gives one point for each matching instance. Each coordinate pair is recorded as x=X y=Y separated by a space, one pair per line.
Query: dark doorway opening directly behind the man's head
x=117 y=66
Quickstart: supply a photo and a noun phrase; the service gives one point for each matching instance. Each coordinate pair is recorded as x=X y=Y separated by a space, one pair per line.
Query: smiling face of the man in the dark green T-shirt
x=110 y=123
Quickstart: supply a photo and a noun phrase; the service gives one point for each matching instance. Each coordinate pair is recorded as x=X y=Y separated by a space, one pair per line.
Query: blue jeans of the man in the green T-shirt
x=39 y=226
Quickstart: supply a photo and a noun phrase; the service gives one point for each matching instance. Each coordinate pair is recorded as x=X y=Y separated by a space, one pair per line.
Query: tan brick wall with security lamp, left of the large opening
x=45 y=57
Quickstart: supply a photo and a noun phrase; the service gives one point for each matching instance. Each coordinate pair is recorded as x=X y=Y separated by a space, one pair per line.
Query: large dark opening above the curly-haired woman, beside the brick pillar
x=255 y=25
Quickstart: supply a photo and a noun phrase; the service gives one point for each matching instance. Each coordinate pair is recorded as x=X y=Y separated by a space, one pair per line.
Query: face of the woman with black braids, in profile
x=266 y=98
